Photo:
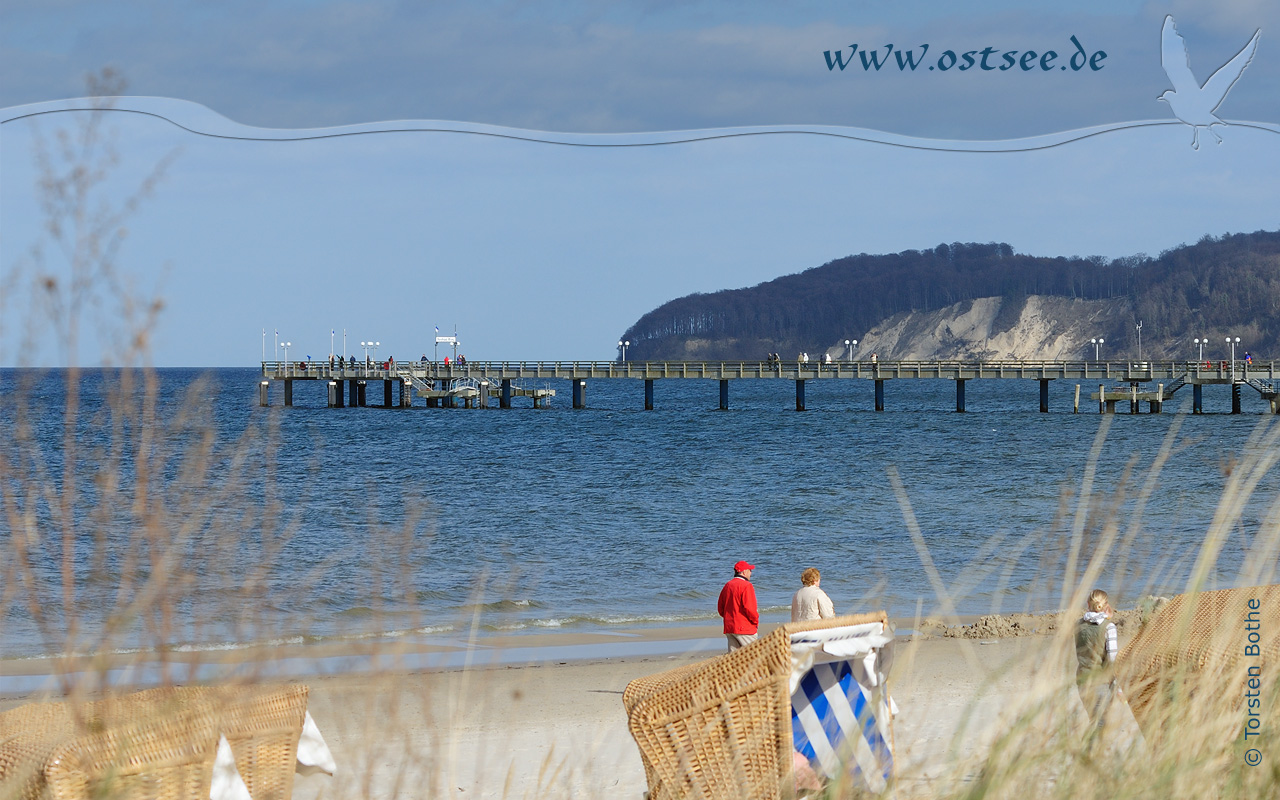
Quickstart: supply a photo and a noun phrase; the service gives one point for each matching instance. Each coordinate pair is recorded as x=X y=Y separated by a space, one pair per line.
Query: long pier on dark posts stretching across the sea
x=476 y=385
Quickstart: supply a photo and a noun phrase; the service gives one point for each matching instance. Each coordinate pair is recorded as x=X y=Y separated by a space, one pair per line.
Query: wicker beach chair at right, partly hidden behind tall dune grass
x=1200 y=642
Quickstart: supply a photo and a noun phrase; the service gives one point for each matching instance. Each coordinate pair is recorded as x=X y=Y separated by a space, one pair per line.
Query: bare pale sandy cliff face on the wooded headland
x=990 y=328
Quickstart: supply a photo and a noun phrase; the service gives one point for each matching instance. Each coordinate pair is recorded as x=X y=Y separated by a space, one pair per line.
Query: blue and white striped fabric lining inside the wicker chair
x=840 y=725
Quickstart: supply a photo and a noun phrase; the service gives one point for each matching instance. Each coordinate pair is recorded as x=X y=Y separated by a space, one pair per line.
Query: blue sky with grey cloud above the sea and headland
x=527 y=214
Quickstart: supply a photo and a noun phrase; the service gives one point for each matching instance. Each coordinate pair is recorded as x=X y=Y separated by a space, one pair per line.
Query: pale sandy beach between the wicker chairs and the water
x=557 y=728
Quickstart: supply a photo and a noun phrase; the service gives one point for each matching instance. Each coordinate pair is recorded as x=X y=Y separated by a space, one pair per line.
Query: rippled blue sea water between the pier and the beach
x=600 y=519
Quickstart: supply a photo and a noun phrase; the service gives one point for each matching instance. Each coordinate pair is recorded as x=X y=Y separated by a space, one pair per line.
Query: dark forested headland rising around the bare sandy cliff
x=1218 y=287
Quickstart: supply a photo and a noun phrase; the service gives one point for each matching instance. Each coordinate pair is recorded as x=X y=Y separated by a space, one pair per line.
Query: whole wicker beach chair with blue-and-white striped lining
x=728 y=729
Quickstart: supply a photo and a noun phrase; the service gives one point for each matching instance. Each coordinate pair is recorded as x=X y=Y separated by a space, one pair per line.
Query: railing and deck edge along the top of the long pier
x=1131 y=372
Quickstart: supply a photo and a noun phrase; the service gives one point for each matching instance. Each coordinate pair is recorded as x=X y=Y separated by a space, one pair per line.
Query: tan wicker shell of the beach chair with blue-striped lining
x=723 y=729
